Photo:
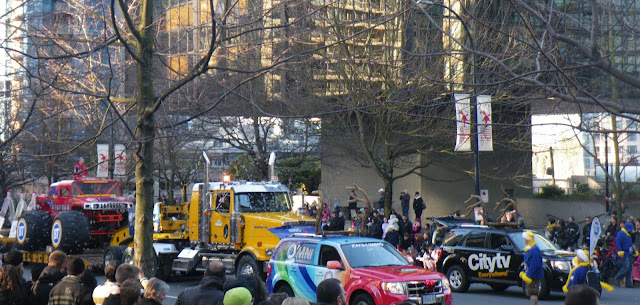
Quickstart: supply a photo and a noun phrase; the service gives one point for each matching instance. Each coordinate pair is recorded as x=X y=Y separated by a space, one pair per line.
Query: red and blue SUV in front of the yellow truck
x=371 y=271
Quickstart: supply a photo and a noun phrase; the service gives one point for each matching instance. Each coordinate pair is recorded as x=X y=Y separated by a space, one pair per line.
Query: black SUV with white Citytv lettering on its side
x=494 y=256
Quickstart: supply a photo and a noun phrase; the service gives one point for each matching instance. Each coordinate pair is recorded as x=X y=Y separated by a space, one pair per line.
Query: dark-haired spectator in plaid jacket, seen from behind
x=70 y=290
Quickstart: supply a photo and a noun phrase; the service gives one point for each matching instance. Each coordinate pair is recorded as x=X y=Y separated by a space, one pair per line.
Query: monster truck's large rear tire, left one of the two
x=34 y=229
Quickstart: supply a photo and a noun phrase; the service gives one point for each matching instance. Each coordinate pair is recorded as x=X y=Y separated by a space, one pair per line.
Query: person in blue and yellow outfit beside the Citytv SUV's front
x=533 y=273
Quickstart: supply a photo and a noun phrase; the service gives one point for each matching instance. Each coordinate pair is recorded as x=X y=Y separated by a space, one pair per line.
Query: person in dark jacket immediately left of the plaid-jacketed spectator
x=50 y=276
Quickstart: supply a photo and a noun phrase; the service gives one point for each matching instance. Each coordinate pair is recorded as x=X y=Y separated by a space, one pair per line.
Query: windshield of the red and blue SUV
x=373 y=254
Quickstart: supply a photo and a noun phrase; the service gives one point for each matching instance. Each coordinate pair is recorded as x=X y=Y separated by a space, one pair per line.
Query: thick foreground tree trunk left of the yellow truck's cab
x=145 y=133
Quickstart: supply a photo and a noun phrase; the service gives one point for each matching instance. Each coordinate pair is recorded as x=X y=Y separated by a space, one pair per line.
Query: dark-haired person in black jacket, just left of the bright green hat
x=209 y=291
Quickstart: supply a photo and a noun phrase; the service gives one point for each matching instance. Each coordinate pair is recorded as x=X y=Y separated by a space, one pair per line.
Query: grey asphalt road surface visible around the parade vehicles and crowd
x=478 y=294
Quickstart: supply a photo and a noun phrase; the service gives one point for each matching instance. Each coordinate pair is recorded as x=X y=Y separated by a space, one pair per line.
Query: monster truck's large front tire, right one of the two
x=70 y=232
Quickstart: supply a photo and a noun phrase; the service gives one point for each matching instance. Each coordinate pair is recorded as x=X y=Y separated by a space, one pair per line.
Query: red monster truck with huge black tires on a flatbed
x=73 y=214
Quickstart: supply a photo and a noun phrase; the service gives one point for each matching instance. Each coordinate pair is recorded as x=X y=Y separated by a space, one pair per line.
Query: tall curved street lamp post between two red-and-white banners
x=473 y=132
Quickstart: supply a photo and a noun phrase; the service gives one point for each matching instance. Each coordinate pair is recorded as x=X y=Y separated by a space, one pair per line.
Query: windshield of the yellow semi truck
x=257 y=202
